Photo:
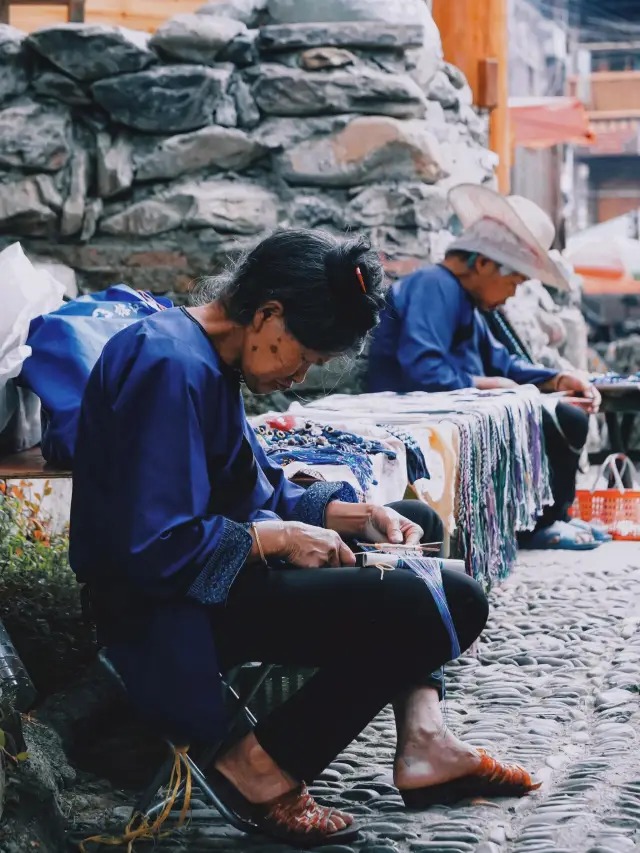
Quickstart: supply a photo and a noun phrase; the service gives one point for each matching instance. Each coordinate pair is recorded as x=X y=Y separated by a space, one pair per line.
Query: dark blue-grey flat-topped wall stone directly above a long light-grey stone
x=168 y=99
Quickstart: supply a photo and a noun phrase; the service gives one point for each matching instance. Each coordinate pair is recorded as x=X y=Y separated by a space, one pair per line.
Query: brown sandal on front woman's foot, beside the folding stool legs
x=294 y=818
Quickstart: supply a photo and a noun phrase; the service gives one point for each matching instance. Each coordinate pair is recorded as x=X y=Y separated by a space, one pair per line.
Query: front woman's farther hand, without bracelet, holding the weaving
x=371 y=523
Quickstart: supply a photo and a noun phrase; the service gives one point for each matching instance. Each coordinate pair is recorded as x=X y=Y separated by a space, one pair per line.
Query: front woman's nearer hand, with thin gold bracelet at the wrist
x=304 y=545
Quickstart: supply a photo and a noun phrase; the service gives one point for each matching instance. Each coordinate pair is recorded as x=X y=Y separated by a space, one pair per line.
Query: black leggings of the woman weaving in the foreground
x=370 y=639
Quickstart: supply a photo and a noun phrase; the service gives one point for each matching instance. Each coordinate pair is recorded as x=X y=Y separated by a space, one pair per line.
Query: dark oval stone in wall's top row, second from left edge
x=90 y=52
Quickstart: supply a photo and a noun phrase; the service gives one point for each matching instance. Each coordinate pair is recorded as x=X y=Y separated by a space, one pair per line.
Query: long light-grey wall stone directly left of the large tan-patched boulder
x=211 y=147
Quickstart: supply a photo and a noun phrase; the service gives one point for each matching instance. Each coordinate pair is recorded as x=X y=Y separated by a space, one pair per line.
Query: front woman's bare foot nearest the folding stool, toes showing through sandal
x=259 y=779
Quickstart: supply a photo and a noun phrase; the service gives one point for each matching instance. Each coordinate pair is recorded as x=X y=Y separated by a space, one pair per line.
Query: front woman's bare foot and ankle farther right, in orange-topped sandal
x=428 y=753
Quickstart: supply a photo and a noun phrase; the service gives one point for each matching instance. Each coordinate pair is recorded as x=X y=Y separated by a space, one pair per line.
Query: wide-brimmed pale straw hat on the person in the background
x=512 y=231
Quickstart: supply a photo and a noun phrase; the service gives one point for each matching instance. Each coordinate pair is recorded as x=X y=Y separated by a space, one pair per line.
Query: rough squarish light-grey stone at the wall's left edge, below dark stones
x=34 y=137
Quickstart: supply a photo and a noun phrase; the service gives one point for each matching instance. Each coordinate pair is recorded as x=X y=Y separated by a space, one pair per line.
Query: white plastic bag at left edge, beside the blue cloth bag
x=25 y=293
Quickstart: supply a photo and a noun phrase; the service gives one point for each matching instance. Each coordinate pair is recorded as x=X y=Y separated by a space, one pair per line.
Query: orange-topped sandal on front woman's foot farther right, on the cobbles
x=491 y=779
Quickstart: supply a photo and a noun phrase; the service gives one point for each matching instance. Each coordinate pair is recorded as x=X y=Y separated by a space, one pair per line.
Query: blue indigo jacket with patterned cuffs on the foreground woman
x=168 y=475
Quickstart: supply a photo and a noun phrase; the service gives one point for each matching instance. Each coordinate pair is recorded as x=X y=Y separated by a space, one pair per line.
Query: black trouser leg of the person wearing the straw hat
x=563 y=452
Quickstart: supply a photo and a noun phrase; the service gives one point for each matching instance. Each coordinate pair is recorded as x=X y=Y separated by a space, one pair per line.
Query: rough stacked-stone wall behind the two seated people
x=150 y=160
